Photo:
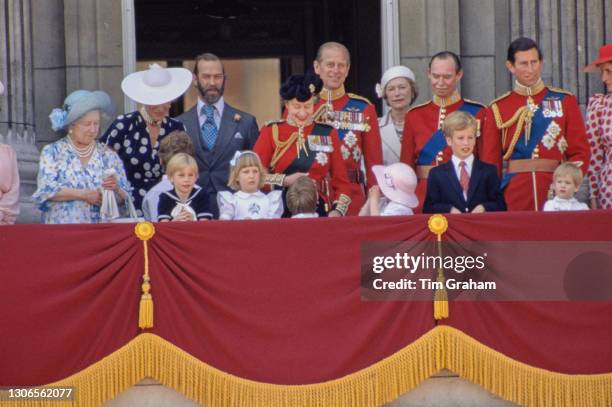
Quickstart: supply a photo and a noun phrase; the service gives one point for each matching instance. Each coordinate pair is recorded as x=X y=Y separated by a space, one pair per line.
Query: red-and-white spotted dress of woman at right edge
x=599 y=132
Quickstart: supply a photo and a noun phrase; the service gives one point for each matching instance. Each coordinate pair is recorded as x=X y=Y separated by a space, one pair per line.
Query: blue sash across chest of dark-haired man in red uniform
x=539 y=124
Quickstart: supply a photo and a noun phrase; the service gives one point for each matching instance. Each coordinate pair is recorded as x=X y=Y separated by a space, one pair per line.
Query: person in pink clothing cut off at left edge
x=9 y=182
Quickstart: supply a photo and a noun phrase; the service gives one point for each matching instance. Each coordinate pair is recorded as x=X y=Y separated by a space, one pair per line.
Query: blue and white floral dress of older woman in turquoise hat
x=61 y=168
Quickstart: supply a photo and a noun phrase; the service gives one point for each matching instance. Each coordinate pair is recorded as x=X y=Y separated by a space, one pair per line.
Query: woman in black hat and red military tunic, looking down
x=298 y=146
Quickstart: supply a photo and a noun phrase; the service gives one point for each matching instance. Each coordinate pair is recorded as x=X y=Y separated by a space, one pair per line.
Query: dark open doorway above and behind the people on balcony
x=290 y=30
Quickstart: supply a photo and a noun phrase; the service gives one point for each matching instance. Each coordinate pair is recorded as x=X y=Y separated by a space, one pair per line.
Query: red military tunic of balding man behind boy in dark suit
x=422 y=153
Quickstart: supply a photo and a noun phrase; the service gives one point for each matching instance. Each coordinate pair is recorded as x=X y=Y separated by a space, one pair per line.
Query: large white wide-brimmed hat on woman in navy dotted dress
x=156 y=85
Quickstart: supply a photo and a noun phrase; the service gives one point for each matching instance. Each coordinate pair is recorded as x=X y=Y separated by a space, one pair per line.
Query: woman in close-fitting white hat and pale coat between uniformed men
x=398 y=88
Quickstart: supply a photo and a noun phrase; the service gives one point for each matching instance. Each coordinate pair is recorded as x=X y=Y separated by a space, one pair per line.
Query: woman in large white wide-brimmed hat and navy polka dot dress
x=135 y=136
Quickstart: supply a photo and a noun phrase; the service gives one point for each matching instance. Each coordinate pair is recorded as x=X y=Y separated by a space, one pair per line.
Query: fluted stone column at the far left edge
x=17 y=116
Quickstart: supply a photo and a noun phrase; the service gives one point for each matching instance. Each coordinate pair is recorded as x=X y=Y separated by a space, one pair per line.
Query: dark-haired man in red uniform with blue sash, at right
x=538 y=128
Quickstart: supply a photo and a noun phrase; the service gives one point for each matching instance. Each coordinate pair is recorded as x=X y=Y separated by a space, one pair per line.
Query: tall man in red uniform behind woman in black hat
x=354 y=118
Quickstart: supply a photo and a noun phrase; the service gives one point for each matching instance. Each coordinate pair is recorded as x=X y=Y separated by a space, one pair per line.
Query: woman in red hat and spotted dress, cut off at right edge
x=599 y=132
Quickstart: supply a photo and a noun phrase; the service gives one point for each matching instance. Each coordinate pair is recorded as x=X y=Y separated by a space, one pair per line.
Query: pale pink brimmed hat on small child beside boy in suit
x=398 y=183
